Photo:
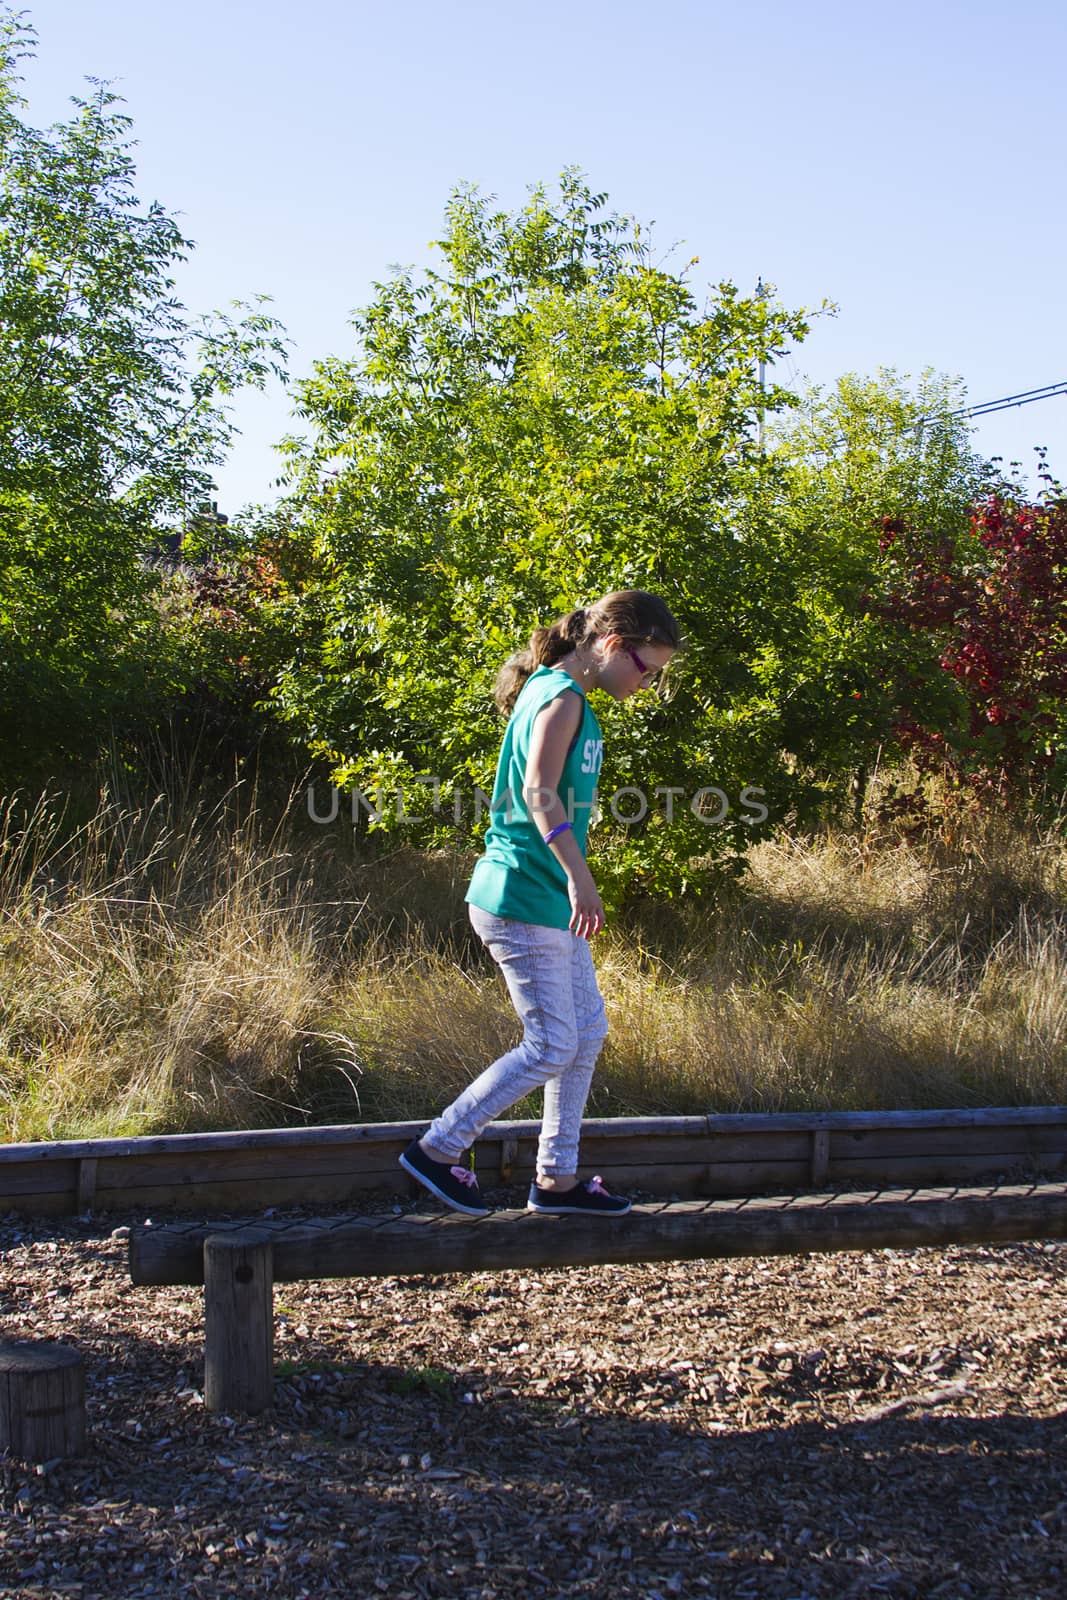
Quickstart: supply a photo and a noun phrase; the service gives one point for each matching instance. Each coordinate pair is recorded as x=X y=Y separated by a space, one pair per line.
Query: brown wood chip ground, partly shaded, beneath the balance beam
x=885 y=1425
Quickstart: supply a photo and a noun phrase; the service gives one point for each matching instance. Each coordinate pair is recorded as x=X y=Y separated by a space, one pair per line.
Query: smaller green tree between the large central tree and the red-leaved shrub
x=858 y=458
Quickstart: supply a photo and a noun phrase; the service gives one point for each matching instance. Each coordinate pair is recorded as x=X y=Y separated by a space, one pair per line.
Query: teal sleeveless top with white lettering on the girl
x=519 y=878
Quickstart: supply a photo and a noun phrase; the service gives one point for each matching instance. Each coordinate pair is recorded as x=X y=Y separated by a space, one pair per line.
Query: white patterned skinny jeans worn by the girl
x=553 y=985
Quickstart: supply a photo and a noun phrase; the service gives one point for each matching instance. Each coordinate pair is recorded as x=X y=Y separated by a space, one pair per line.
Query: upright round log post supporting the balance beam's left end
x=239 y=1322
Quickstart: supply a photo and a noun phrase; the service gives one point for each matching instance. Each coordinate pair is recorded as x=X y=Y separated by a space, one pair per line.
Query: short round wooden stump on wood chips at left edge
x=42 y=1401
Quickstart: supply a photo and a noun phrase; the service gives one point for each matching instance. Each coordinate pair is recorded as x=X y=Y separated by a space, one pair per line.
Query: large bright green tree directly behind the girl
x=546 y=417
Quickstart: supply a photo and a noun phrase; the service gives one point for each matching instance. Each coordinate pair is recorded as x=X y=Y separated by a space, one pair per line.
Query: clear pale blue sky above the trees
x=906 y=162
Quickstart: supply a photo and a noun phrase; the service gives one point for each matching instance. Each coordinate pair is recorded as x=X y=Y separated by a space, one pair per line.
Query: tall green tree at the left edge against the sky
x=113 y=412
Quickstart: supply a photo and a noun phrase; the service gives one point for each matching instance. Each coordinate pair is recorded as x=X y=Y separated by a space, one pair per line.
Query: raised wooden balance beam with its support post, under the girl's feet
x=239 y=1263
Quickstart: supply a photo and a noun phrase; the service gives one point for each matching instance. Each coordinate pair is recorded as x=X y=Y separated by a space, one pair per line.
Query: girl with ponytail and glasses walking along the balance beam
x=533 y=902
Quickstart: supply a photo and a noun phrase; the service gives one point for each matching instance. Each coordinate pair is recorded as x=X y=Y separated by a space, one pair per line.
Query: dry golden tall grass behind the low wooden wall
x=166 y=974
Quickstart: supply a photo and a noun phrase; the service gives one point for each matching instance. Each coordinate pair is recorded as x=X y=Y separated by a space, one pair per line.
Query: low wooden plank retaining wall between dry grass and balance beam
x=666 y=1156
